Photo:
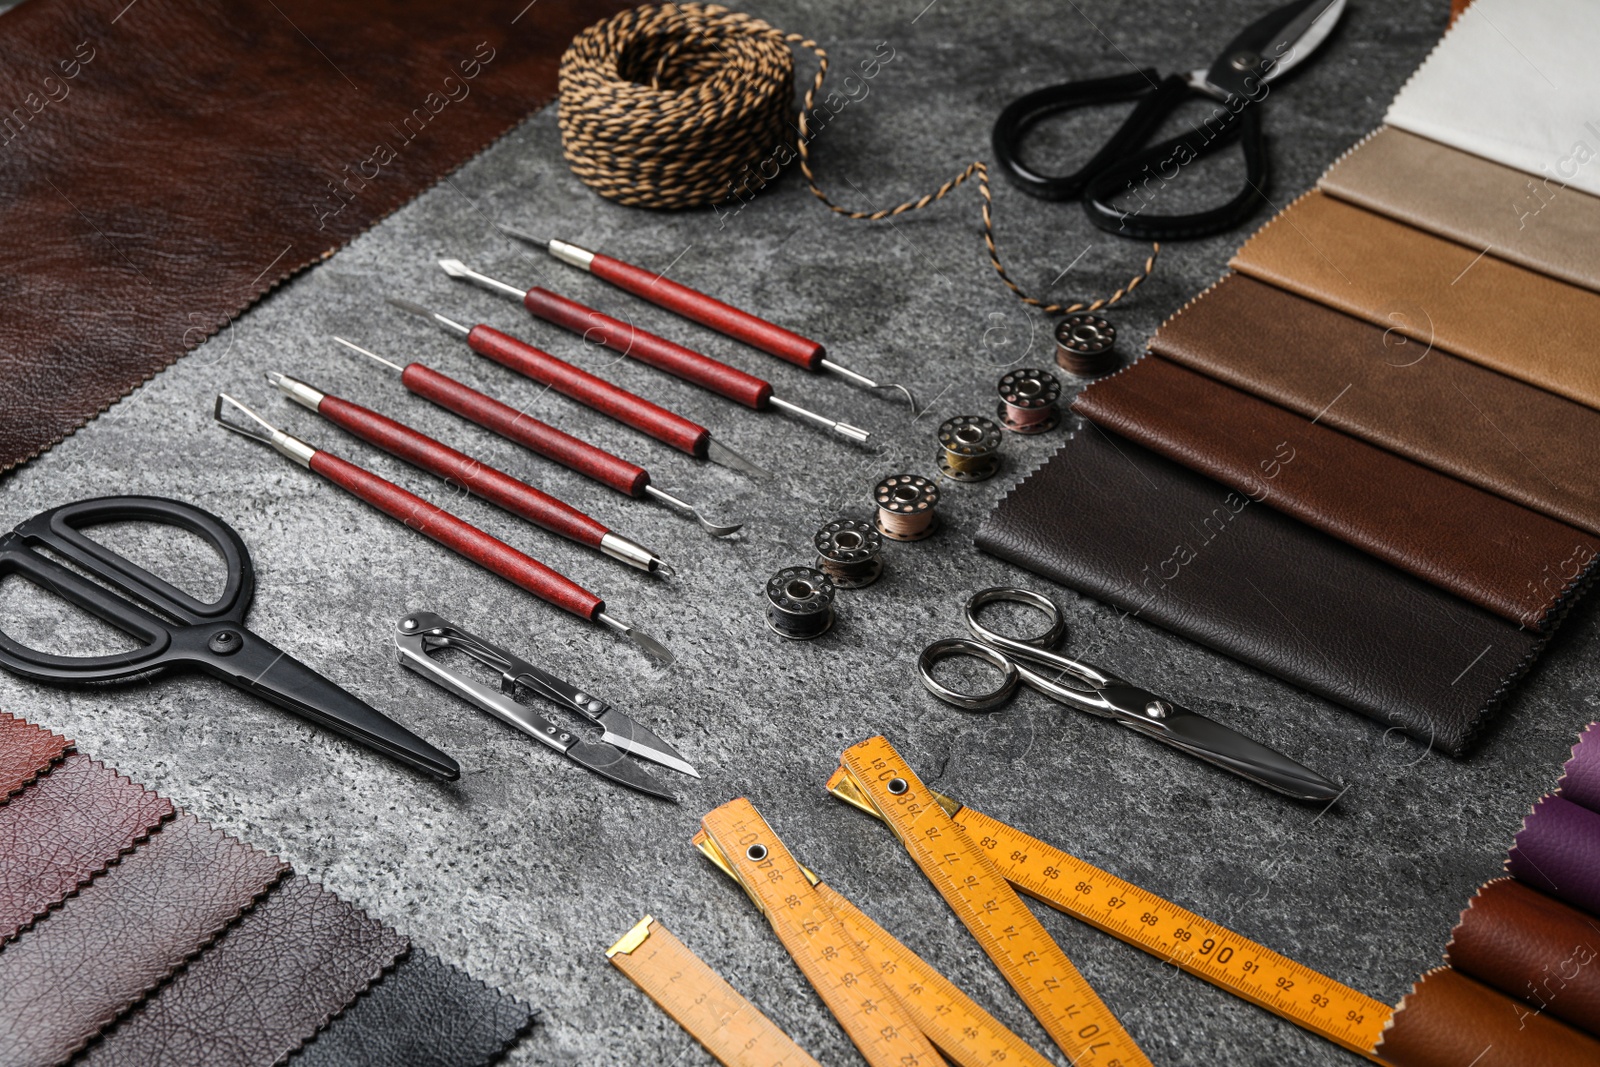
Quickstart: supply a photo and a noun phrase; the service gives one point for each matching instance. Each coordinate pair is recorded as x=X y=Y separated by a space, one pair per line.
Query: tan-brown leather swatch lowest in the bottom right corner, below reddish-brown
x=1450 y=1020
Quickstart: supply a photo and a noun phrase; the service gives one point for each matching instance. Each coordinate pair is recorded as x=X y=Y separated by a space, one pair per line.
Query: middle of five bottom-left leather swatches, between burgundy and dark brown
x=122 y=937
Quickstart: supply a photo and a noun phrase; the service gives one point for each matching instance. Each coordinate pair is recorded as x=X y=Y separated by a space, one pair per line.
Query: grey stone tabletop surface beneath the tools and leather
x=529 y=868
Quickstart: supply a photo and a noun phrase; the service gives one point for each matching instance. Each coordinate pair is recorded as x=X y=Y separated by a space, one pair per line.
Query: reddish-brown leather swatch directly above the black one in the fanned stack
x=1460 y=538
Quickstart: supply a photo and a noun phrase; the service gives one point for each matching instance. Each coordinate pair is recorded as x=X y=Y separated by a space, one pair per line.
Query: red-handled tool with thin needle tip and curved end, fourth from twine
x=540 y=438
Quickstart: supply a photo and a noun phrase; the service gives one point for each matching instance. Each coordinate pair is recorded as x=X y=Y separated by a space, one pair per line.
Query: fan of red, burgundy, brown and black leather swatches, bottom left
x=138 y=935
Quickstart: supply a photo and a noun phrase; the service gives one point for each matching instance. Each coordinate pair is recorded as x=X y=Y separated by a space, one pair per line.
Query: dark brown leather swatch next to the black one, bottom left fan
x=276 y=978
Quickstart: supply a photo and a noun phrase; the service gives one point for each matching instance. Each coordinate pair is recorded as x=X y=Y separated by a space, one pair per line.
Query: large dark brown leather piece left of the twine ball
x=169 y=162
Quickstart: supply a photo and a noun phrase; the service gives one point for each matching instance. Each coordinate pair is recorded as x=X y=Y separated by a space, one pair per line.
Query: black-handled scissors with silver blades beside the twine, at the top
x=1132 y=169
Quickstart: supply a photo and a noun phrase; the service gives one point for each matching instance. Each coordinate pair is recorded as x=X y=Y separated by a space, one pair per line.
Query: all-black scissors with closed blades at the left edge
x=188 y=631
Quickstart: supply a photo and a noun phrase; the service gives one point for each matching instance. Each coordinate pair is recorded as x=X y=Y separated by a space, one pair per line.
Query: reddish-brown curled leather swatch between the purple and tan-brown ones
x=1534 y=948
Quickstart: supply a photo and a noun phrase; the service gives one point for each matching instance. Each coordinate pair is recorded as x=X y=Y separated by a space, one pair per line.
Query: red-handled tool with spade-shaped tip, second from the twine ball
x=654 y=351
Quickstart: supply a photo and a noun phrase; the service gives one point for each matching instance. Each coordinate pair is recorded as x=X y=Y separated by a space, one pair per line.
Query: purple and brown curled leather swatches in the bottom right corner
x=1522 y=978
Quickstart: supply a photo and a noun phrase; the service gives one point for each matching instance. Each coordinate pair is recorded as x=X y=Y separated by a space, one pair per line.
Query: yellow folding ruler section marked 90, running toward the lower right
x=1145 y=921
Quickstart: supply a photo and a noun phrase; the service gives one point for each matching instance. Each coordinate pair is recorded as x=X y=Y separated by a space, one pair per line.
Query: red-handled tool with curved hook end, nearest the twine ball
x=708 y=311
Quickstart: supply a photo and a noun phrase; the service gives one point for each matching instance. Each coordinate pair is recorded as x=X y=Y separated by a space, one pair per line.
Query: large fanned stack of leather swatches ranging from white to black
x=1367 y=460
